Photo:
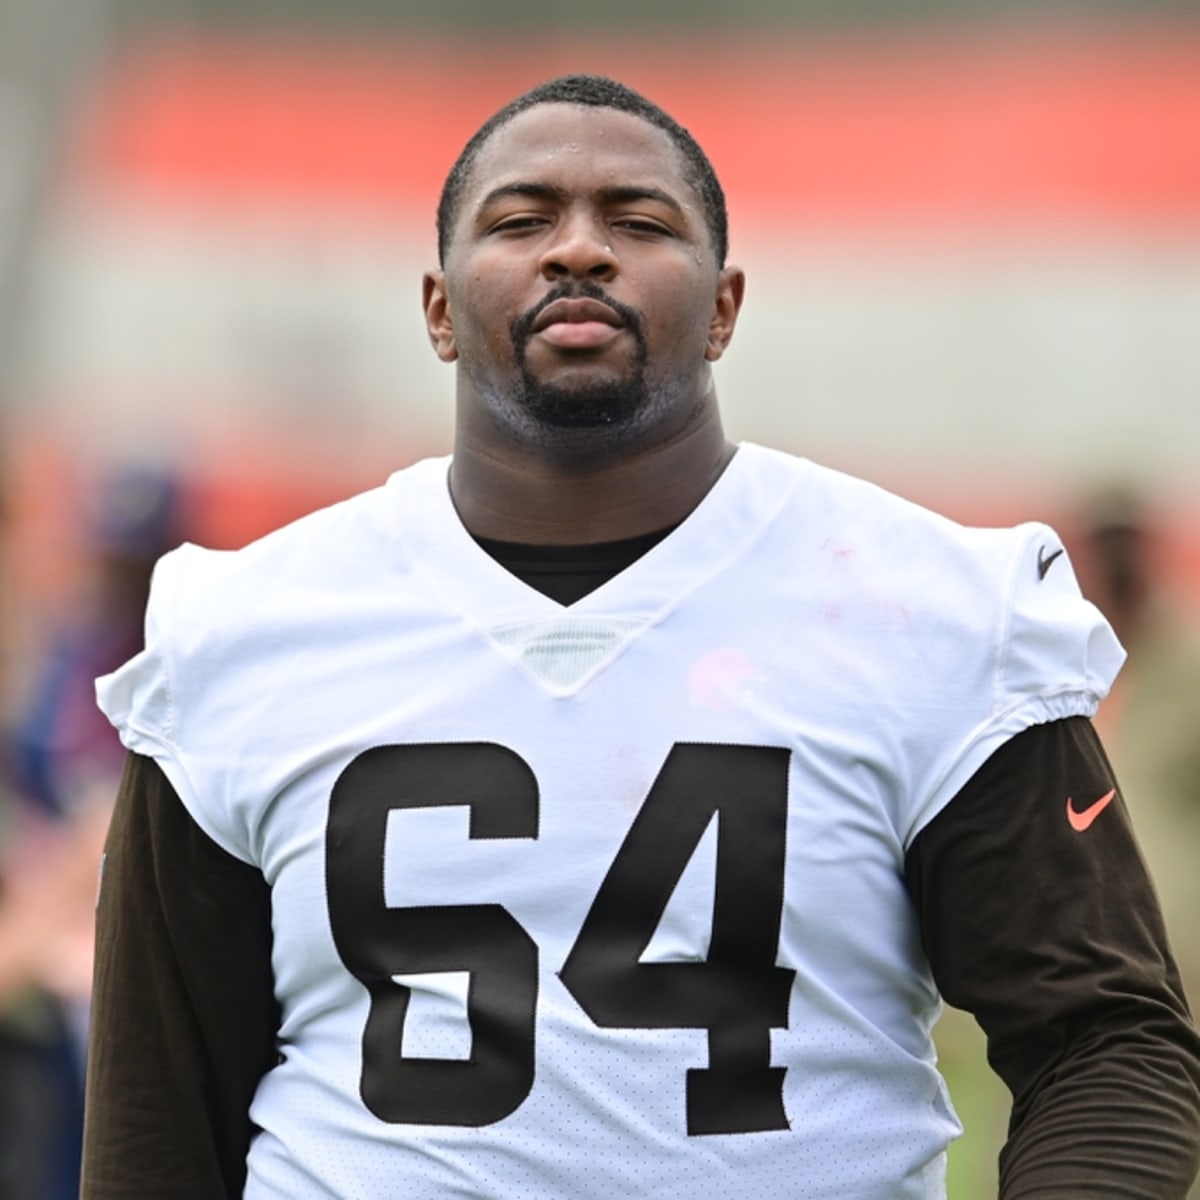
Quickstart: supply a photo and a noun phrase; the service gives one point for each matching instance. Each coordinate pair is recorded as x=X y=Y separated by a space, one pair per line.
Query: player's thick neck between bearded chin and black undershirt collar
x=518 y=495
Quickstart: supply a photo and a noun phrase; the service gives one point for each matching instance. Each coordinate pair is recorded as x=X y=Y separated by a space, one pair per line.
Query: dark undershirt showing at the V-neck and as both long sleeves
x=1054 y=941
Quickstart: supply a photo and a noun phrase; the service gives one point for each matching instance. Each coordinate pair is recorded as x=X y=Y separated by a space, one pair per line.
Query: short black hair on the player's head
x=596 y=92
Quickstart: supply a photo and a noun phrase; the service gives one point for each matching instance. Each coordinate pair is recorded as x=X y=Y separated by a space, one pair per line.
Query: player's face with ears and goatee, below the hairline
x=580 y=290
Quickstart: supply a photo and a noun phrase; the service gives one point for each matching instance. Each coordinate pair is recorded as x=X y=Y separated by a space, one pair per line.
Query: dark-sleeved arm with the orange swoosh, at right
x=1052 y=937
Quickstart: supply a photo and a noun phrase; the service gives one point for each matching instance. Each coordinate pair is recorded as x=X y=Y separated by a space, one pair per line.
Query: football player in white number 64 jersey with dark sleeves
x=602 y=812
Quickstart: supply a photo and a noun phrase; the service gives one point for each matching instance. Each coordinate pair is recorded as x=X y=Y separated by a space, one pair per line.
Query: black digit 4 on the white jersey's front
x=739 y=993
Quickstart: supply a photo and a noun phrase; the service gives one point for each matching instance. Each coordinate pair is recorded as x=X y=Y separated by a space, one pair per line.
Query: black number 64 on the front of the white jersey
x=739 y=994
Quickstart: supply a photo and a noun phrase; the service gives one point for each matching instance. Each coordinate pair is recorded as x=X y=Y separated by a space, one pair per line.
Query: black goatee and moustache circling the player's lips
x=589 y=405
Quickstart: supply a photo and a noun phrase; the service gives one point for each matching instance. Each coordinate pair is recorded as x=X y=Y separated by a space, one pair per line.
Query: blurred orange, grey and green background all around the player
x=973 y=238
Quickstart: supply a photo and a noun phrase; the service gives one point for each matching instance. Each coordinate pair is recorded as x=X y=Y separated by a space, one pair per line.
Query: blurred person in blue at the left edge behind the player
x=61 y=773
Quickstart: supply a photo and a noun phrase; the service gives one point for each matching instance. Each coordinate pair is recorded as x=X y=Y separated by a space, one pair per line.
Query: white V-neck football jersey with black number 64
x=603 y=901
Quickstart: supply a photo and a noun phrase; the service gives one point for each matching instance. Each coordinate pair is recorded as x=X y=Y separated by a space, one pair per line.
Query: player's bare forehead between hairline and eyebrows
x=579 y=147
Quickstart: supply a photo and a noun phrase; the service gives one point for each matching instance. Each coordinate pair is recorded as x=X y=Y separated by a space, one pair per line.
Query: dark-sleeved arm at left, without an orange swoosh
x=184 y=1016
